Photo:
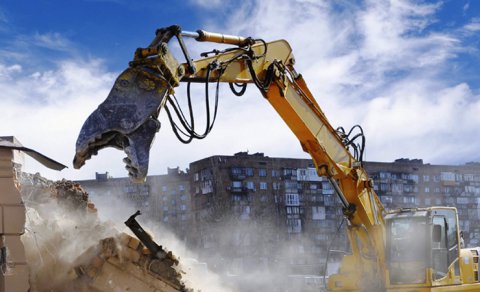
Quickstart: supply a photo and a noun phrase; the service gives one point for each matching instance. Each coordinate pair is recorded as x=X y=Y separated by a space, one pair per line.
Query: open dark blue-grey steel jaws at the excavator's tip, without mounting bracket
x=126 y=120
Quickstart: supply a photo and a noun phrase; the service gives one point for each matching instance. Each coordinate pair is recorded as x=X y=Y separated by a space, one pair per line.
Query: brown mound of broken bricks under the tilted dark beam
x=126 y=253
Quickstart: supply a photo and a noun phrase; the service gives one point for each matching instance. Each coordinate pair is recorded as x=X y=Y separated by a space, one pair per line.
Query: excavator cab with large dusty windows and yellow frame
x=422 y=246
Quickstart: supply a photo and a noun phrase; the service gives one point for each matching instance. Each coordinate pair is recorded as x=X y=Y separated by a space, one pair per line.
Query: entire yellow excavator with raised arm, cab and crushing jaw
x=416 y=249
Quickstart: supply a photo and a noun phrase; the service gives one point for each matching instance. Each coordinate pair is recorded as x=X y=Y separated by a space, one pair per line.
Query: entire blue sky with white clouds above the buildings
x=407 y=71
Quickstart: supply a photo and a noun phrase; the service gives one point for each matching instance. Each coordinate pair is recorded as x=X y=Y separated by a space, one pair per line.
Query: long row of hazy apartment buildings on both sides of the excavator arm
x=250 y=212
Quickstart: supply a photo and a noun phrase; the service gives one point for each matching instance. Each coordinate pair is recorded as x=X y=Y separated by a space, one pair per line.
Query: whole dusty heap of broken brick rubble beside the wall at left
x=69 y=249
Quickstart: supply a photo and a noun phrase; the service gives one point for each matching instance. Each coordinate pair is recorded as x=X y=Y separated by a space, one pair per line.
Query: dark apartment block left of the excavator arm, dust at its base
x=278 y=207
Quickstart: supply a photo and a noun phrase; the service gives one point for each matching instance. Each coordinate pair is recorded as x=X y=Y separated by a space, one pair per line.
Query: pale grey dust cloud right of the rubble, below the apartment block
x=216 y=271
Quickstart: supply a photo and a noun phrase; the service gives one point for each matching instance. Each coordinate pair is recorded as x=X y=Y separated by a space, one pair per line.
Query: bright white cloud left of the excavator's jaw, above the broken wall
x=45 y=110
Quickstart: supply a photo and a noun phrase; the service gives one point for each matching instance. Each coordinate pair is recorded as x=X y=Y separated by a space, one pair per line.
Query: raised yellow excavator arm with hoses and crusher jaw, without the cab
x=127 y=120
